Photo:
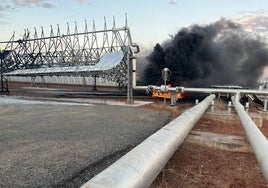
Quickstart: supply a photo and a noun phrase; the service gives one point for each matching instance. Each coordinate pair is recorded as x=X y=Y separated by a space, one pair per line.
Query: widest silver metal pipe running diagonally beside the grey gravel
x=140 y=166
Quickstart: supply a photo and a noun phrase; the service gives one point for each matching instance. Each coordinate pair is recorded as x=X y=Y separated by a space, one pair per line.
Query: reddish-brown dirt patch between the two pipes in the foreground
x=196 y=166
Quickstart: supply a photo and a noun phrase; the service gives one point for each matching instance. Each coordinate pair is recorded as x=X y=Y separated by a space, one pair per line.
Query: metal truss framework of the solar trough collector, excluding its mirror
x=71 y=50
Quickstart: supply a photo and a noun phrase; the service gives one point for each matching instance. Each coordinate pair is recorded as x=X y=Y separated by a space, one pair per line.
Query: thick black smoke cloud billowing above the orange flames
x=217 y=54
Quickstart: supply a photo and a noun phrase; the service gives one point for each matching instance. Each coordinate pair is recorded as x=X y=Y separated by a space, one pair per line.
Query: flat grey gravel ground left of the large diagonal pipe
x=63 y=145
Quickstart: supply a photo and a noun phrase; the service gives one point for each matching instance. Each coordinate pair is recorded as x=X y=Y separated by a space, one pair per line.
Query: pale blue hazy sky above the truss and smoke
x=150 y=21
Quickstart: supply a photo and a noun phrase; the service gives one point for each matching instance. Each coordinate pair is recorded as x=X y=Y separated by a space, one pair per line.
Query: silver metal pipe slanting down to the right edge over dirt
x=256 y=139
